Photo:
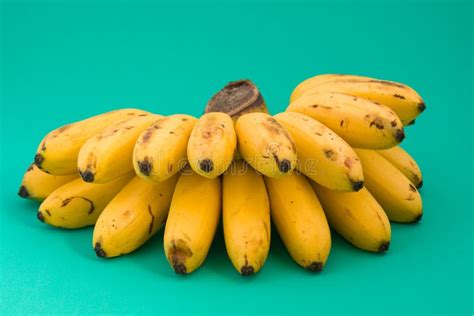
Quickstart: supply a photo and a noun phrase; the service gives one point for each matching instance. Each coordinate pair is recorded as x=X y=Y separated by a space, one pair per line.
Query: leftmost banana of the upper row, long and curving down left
x=57 y=152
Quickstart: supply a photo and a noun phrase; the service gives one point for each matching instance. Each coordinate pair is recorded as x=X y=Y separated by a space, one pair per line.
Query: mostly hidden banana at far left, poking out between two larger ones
x=37 y=185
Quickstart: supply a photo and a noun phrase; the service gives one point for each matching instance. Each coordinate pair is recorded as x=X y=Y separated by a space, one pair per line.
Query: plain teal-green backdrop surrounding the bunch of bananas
x=65 y=62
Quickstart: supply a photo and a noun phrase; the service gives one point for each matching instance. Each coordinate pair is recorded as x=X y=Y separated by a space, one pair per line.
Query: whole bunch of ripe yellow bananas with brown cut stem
x=331 y=160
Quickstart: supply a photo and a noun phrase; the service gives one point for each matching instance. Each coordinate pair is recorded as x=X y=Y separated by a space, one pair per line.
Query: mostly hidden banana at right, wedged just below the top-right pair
x=405 y=163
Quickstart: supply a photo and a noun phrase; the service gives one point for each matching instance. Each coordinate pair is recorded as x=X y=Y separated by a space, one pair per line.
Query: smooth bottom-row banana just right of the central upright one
x=300 y=220
